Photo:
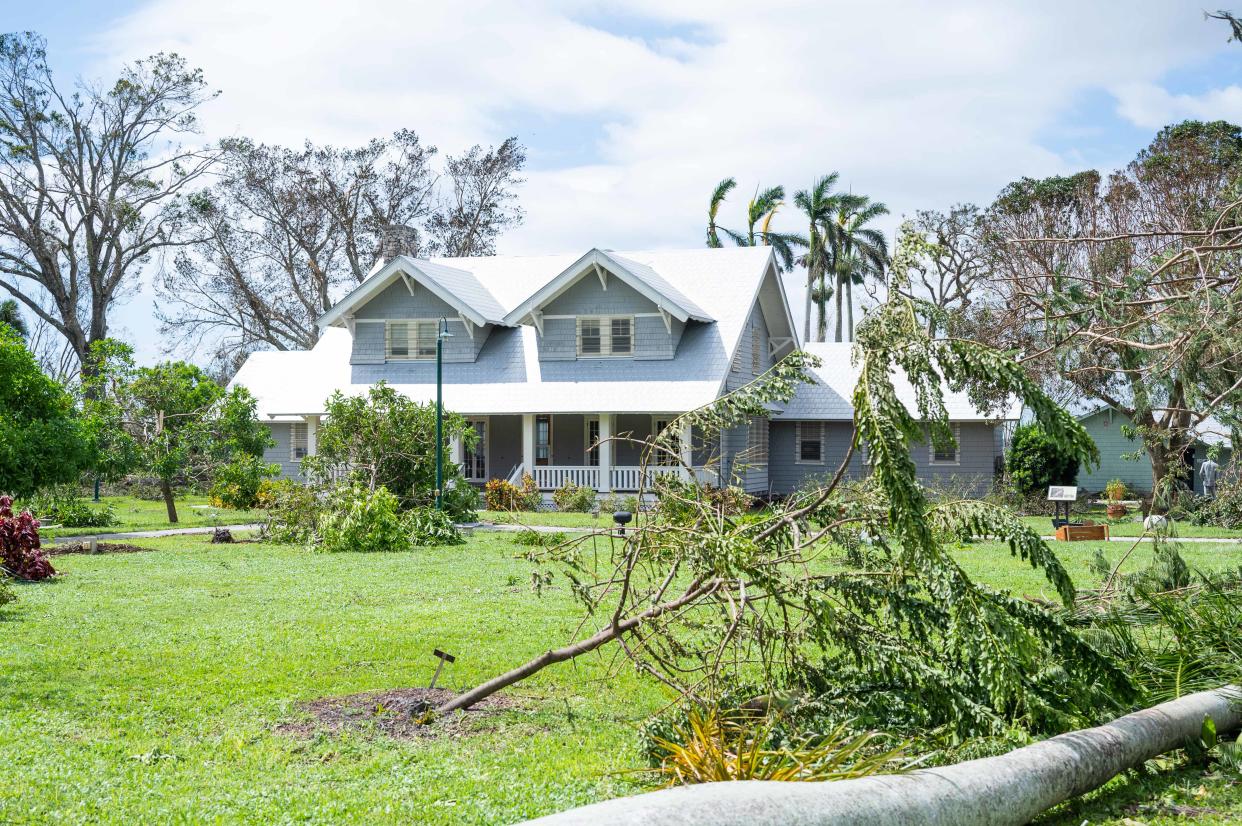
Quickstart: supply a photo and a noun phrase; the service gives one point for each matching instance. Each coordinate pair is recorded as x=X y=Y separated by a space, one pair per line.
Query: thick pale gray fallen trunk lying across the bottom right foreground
x=993 y=792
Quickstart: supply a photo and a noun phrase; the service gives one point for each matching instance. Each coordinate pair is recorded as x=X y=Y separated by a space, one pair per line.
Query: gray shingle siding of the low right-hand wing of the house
x=973 y=474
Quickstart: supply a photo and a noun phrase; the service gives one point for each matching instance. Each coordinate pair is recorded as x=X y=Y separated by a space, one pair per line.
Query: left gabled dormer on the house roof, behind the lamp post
x=393 y=316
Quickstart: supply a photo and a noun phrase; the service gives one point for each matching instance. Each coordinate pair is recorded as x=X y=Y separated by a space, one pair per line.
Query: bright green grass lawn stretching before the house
x=151 y=688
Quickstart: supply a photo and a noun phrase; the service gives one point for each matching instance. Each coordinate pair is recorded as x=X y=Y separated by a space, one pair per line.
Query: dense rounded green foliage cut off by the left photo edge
x=42 y=438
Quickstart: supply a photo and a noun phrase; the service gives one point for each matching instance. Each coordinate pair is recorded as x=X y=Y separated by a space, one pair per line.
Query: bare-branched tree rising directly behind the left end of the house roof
x=288 y=232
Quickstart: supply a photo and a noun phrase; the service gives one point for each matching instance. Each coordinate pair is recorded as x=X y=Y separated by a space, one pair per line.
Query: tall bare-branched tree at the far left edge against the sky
x=91 y=182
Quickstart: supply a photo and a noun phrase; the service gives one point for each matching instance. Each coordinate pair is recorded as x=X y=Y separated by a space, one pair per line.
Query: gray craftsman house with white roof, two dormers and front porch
x=564 y=365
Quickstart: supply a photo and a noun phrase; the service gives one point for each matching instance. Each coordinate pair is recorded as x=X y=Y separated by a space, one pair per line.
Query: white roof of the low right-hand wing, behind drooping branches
x=829 y=397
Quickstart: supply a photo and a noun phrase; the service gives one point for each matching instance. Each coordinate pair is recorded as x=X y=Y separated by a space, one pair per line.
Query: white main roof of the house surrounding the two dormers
x=509 y=378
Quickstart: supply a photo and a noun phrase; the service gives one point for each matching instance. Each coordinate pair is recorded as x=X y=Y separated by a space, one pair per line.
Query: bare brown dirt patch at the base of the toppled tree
x=403 y=714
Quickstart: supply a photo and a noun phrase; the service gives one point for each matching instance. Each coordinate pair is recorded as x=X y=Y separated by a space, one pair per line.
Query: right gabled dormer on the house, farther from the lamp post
x=605 y=306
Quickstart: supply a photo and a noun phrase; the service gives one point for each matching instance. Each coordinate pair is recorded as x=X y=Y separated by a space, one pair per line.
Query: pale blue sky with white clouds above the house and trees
x=632 y=112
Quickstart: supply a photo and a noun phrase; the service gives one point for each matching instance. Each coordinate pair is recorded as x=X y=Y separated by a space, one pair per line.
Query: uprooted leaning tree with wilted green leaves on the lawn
x=704 y=599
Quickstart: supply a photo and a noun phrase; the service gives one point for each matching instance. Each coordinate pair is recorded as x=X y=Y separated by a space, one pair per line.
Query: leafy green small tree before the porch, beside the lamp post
x=387 y=440
